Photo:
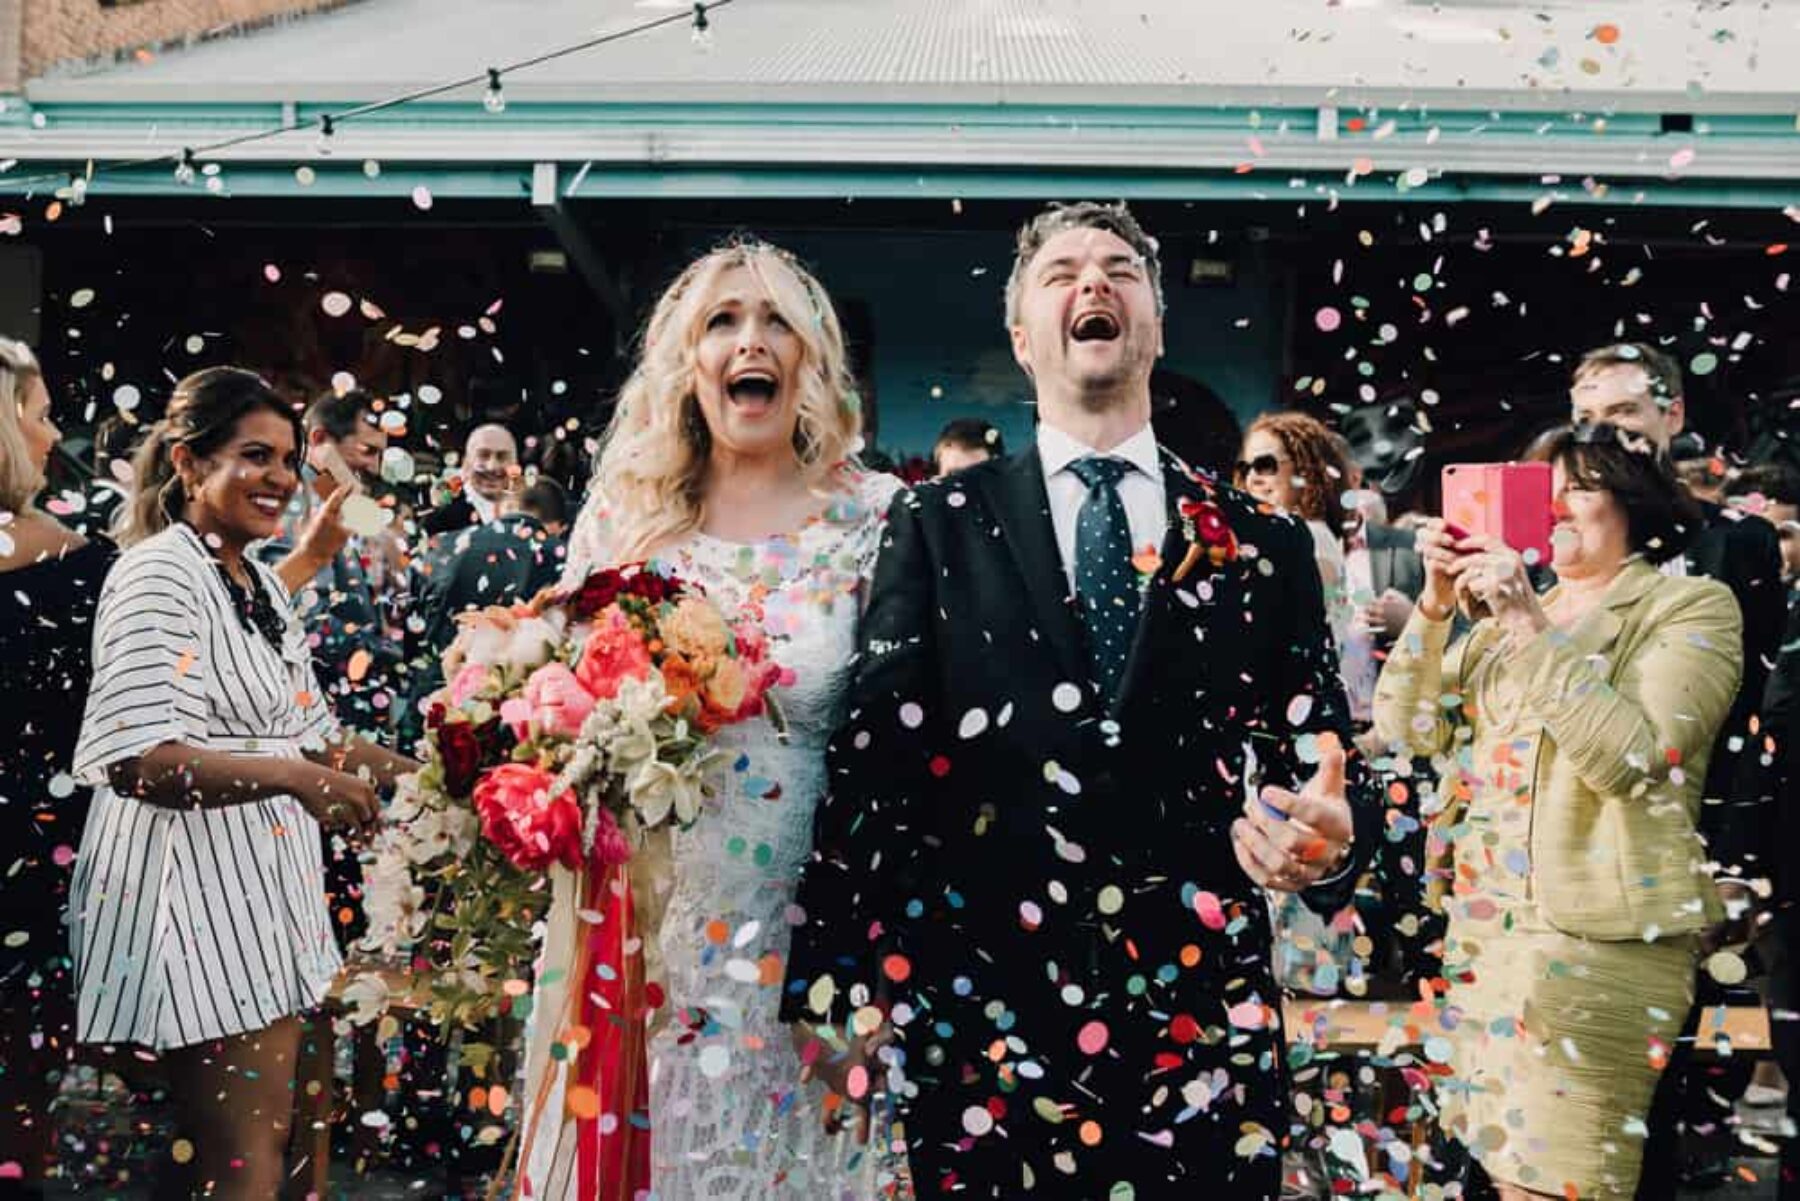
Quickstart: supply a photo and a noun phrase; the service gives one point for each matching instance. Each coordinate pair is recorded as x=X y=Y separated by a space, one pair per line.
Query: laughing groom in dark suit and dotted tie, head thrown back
x=1039 y=865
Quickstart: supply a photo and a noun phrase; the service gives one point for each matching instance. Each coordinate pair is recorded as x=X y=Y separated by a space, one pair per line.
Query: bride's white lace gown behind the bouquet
x=728 y=1115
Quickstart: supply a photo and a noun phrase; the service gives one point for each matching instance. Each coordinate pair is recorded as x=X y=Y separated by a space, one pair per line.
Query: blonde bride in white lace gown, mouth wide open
x=730 y=464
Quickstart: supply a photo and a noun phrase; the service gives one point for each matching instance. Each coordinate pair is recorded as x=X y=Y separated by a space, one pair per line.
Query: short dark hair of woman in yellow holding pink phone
x=1660 y=516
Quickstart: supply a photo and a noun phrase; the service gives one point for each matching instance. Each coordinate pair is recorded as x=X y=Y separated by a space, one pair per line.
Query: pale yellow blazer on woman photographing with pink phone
x=1628 y=703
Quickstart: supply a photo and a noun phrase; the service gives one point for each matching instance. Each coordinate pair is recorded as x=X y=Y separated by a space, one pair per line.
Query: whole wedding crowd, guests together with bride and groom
x=1090 y=757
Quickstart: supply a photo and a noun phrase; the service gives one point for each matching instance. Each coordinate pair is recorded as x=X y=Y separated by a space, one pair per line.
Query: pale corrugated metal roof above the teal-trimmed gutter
x=1713 y=55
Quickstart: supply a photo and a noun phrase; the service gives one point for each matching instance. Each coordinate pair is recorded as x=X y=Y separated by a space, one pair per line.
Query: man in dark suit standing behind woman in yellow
x=1639 y=388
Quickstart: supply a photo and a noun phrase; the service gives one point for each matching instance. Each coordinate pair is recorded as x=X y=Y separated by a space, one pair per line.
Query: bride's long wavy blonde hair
x=651 y=478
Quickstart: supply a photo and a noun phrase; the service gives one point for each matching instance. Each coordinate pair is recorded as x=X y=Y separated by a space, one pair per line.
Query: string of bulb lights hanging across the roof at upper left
x=190 y=159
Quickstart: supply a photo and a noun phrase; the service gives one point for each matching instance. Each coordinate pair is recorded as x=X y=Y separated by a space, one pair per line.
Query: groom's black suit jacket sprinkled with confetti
x=1030 y=851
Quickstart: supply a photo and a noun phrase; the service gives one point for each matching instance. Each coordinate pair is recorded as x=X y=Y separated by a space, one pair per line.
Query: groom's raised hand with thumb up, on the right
x=1290 y=842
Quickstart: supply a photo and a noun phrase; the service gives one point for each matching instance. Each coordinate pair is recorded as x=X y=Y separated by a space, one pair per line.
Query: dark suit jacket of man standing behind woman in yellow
x=1745 y=554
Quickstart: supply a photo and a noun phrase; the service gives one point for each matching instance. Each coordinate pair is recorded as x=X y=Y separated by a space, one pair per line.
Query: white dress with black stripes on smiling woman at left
x=195 y=925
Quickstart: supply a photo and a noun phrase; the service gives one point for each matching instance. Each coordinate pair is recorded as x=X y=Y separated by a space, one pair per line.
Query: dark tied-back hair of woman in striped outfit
x=204 y=415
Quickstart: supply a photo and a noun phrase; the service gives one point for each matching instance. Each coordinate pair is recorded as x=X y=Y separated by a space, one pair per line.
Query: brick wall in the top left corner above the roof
x=75 y=32
